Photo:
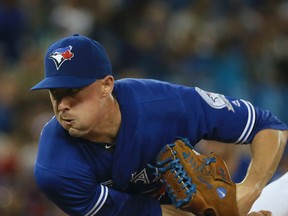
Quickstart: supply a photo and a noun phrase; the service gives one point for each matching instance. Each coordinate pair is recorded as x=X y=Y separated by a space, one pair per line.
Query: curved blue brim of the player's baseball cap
x=63 y=82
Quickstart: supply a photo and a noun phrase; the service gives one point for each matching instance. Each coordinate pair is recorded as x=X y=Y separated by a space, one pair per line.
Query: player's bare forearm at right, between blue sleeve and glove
x=266 y=151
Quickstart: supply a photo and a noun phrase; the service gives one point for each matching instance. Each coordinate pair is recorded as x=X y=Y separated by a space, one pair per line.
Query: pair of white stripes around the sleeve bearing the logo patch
x=250 y=122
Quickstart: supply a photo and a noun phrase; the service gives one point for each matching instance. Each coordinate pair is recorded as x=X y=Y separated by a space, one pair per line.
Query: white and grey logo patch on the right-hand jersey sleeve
x=215 y=100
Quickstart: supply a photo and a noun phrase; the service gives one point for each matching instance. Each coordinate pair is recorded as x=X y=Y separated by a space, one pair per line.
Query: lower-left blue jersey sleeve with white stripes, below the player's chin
x=87 y=198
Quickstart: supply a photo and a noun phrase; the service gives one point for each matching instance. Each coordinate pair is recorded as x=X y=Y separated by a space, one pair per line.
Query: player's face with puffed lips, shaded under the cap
x=78 y=110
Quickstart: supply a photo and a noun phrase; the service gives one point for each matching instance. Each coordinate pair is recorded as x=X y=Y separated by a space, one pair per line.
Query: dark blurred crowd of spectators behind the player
x=235 y=47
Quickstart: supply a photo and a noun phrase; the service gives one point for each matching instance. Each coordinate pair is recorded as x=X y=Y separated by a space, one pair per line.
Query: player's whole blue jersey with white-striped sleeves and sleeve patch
x=84 y=178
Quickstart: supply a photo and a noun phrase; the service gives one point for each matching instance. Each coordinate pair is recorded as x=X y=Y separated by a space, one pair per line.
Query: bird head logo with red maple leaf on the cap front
x=60 y=55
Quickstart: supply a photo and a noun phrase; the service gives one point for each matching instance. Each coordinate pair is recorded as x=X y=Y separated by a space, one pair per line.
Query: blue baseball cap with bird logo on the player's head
x=74 y=62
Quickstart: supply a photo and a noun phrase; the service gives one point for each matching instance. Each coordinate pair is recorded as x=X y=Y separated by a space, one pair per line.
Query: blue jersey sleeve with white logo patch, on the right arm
x=213 y=116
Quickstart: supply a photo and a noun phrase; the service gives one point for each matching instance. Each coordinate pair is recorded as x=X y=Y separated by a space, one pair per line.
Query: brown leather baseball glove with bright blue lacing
x=195 y=182
